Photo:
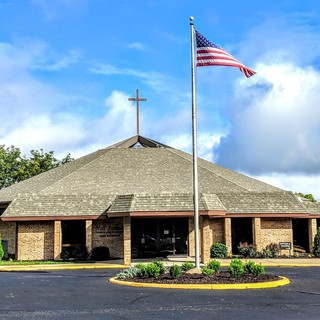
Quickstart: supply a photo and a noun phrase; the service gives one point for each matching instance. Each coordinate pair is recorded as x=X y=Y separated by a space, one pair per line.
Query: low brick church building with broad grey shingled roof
x=136 y=199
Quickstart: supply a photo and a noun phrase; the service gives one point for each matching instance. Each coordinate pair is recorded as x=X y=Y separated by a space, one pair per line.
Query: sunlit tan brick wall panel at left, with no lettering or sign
x=35 y=240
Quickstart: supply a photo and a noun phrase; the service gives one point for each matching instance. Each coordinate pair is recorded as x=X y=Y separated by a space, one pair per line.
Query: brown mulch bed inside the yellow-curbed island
x=223 y=277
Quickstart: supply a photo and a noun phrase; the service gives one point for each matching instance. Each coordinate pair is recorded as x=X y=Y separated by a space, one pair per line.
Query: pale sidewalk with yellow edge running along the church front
x=118 y=264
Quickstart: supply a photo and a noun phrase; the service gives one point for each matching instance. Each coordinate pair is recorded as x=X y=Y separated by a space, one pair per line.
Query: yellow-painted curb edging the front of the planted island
x=239 y=286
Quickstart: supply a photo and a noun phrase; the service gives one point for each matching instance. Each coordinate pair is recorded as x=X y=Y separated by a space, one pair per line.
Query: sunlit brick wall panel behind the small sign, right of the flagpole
x=275 y=230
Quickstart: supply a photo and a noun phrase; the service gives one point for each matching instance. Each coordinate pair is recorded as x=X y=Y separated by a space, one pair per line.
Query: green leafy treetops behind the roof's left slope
x=15 y=167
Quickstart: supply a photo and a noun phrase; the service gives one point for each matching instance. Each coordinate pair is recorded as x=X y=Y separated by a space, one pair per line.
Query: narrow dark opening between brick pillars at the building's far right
x=300 y=232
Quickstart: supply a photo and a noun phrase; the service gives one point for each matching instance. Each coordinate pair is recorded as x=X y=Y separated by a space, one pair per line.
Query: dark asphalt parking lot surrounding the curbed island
x=86 y=294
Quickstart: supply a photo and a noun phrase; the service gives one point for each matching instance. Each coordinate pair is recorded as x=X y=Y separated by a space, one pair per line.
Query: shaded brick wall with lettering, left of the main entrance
x=108 y=233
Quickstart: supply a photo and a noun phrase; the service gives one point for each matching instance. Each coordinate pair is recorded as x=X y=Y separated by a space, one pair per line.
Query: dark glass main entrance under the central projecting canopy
x=159 y=237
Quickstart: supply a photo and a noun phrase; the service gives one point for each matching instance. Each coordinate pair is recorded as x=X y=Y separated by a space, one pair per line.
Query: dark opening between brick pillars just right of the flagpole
x=241 y=232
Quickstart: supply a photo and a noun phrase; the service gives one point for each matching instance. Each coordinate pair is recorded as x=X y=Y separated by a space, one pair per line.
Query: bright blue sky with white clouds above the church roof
x=68 y=67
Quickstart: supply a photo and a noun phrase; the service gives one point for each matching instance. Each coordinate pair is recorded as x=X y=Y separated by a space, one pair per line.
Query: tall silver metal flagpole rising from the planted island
x=194 y=151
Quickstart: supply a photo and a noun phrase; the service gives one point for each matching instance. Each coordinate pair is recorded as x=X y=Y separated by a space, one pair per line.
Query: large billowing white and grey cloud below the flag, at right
x=275 y=122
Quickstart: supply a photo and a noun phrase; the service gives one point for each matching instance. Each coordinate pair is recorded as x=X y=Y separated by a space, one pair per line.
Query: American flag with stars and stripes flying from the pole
x=209 y=54
